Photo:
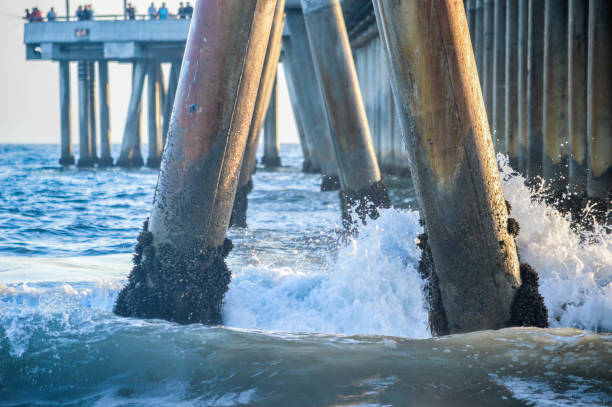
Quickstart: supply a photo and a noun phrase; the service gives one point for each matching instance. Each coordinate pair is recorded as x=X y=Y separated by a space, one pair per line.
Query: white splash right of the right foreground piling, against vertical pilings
x=575 y=269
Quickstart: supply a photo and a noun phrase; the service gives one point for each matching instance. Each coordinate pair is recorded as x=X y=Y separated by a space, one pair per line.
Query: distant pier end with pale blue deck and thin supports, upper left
x=145 y=44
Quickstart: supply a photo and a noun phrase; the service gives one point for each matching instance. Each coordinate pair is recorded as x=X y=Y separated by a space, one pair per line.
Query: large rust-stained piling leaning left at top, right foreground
x=443 y=119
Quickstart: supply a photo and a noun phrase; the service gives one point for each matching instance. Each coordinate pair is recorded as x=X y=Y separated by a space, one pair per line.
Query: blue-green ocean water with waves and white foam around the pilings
x=308 y=321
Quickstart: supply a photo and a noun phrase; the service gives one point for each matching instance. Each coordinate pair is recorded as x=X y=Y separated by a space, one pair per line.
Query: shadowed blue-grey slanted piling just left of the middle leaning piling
x=312 y=105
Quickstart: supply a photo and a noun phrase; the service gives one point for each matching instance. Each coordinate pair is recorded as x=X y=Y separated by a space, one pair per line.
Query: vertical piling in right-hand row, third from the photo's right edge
x=555 y=119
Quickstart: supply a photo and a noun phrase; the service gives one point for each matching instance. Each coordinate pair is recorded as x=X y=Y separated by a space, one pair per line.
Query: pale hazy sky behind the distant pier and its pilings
x=29 y=99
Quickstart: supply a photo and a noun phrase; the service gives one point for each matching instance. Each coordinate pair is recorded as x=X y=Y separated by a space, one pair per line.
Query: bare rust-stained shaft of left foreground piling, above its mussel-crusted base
x=210 y=122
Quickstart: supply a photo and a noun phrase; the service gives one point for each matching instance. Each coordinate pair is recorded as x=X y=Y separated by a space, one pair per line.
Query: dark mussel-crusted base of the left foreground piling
x=185 y=285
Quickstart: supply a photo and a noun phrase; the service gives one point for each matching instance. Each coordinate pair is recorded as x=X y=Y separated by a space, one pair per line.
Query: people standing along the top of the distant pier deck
x=85 y=12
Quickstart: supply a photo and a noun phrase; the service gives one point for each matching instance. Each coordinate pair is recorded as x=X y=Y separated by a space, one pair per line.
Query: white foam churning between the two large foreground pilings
x=371 y=287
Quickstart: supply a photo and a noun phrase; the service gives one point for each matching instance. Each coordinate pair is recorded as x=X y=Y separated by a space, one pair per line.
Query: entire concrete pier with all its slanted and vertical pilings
x=433 y=89
